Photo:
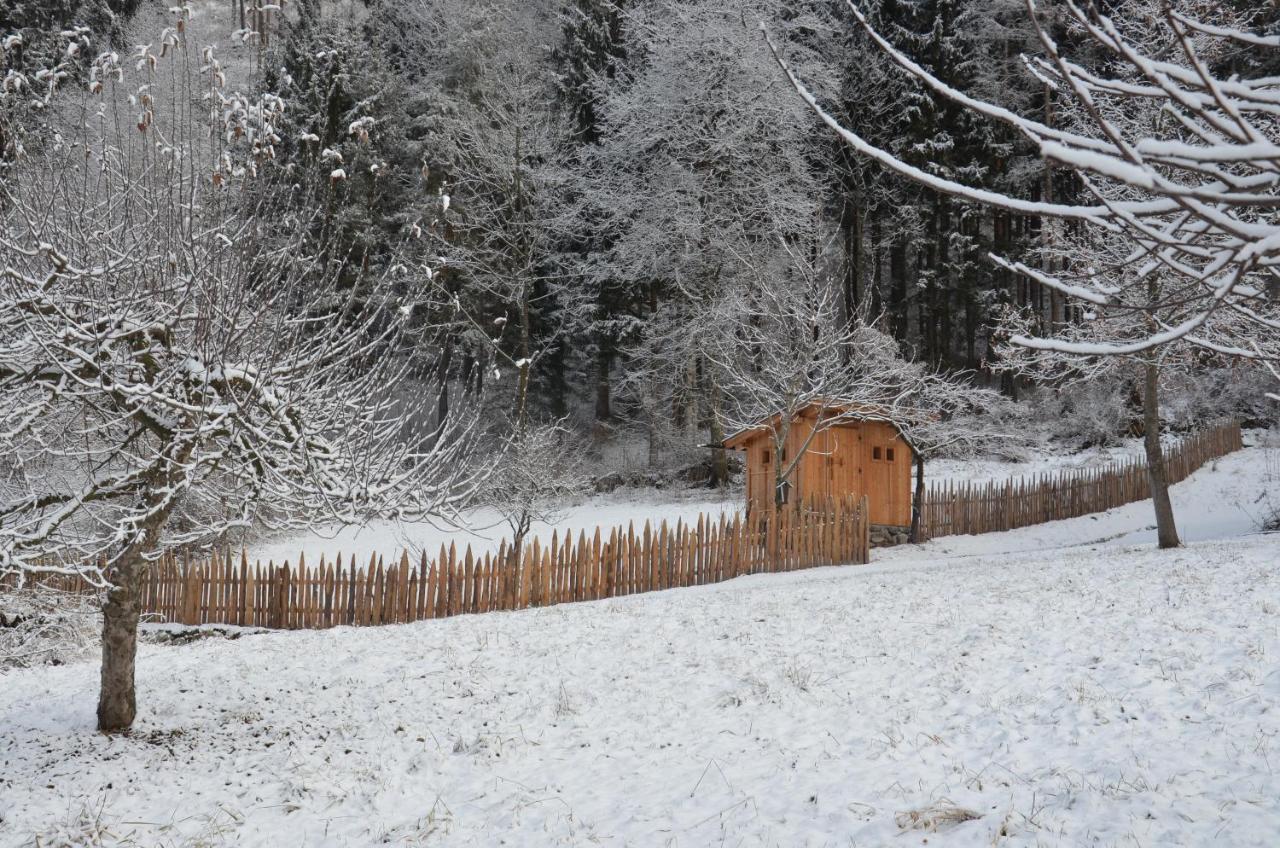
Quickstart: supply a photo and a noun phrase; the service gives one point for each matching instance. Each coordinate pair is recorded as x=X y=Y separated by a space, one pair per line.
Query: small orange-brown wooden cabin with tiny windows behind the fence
x=858 y=450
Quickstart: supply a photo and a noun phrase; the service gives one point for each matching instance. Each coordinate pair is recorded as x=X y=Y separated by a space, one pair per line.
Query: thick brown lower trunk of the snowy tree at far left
x=117 y=705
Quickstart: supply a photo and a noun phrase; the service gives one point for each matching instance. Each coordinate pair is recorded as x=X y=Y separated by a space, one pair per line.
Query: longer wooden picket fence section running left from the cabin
x=227 y=590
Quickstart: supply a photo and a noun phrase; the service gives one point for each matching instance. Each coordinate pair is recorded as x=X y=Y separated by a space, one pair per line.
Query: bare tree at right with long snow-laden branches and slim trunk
x=1191 y=198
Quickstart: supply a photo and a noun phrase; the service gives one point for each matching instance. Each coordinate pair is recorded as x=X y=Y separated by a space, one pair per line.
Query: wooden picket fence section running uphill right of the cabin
x=988 y=508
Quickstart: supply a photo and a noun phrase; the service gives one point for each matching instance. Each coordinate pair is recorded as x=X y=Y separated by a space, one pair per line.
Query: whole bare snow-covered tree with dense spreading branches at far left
x=179 y=359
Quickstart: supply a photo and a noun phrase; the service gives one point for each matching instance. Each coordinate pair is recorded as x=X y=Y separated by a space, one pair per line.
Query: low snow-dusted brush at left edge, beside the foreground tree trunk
x=40 y=626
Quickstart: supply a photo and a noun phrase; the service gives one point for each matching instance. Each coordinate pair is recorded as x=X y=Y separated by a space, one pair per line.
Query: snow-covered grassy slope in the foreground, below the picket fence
x=1057 y=686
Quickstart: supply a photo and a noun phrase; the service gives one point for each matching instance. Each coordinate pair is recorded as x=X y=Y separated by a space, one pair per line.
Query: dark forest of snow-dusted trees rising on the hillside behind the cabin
x=575 y=189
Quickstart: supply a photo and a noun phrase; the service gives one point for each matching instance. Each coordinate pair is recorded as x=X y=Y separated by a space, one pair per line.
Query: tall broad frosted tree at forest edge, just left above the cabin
x=707 y=157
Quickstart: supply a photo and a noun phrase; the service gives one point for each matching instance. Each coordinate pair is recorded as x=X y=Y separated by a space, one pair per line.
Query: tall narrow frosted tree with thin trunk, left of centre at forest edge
x=496 y=142
